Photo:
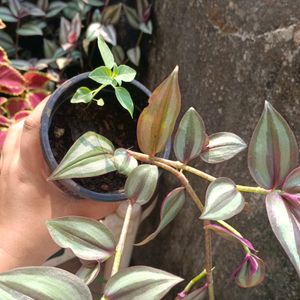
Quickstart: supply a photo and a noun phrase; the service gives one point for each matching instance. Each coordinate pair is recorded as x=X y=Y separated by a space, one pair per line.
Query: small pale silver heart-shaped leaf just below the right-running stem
x=222 y=200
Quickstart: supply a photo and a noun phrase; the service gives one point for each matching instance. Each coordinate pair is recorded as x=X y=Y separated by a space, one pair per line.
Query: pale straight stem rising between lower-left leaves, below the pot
x=122 y=239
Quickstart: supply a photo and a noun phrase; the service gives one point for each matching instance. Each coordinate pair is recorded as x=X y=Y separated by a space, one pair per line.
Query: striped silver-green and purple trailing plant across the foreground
x=272 y=161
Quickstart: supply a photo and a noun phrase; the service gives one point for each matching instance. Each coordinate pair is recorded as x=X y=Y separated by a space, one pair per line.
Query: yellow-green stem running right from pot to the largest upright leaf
x=179 y=165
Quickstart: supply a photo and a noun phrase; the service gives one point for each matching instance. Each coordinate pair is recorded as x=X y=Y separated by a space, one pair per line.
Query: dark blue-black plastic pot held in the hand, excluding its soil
x=62 y=94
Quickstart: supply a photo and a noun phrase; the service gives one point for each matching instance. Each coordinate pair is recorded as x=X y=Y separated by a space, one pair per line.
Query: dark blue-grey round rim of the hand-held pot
x=46 y=119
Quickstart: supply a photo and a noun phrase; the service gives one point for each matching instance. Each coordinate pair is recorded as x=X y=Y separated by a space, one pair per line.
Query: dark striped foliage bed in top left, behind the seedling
x=67 y=32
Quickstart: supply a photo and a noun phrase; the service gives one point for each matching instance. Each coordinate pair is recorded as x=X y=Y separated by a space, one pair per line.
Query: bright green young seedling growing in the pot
x=109 y=75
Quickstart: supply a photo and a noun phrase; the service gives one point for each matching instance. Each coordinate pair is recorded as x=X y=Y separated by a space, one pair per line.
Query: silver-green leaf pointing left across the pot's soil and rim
x=91 y=155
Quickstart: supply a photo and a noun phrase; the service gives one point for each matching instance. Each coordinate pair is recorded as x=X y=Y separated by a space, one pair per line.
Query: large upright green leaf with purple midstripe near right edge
x=273 y=150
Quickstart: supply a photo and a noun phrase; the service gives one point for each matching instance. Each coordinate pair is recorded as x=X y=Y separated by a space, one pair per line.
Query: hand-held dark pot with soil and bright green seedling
x=101 y=102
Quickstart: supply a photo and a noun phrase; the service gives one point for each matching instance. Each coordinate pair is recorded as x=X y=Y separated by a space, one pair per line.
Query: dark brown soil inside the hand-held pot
x=111 y=120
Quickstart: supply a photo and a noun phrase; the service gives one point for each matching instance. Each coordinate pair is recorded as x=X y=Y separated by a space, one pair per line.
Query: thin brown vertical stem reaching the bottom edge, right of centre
x=208 y=262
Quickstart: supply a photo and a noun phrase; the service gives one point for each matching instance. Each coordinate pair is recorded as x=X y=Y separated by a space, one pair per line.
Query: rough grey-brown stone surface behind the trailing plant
x=232 y=56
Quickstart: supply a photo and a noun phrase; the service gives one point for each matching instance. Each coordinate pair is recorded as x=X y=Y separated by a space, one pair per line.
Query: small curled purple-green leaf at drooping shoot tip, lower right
x=251 y=272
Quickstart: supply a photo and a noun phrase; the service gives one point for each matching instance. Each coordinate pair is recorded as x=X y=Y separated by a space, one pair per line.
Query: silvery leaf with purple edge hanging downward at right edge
x=285 y=223
